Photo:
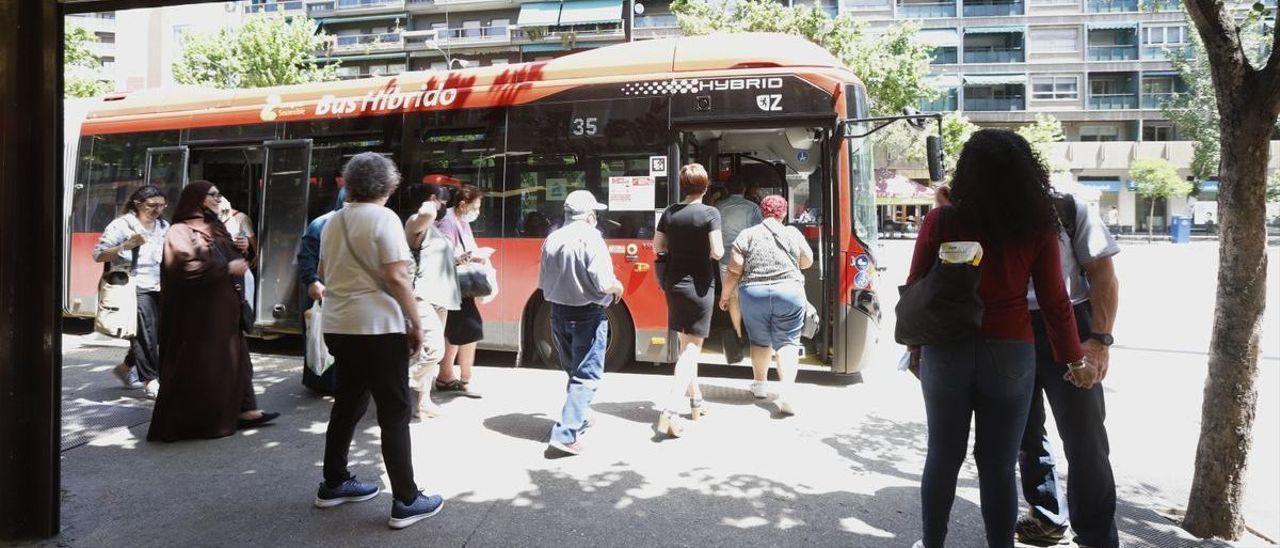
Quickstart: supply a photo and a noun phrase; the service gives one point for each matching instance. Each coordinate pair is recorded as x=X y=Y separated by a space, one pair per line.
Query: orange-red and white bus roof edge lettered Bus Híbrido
x=476 y=88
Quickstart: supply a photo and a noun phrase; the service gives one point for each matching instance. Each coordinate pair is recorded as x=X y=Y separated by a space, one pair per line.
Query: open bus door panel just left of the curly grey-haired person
x=282 y=220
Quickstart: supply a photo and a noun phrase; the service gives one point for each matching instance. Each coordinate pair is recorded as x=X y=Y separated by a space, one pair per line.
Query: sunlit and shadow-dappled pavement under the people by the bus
x=845 y=472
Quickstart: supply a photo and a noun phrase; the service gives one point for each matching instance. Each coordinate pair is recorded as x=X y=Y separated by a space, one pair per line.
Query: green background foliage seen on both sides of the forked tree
x=1195 y=112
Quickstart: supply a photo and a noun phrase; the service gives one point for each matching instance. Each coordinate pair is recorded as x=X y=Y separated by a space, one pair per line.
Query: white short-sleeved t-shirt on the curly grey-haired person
x=355 y=303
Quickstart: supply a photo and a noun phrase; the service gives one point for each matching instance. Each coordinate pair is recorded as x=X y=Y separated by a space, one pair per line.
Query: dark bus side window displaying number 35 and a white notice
x=587 y=145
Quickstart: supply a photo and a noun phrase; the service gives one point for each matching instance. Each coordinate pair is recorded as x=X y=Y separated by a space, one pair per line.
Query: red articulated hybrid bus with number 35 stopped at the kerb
x=618 y=121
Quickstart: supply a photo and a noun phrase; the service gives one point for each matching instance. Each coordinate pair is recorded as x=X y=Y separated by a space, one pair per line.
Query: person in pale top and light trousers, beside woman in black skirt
x=436 y=290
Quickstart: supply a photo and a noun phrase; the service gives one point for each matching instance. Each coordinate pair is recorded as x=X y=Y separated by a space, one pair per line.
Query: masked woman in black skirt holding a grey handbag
x=465 y=328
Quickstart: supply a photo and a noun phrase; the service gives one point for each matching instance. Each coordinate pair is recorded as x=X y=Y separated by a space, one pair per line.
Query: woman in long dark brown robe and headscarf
x=205 y=368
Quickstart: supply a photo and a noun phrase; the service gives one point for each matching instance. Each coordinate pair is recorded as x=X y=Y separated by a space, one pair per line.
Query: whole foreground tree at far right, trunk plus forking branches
x=1249 y=104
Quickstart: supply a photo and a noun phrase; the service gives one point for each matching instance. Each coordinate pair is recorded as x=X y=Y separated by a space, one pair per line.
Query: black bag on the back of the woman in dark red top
x=944 y=305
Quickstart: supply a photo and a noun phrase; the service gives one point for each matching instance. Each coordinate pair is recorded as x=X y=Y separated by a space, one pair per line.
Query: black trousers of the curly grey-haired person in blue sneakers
x=378 y=367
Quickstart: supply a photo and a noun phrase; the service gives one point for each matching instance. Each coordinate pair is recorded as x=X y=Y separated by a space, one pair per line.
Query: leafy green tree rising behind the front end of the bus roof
x=893 y=66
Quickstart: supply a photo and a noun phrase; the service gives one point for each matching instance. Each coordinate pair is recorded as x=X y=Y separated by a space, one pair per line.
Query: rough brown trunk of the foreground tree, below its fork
x=1231 y=394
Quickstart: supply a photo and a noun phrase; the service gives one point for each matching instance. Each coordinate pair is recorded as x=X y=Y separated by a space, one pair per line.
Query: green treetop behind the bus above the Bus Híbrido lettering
x=264 y=52
